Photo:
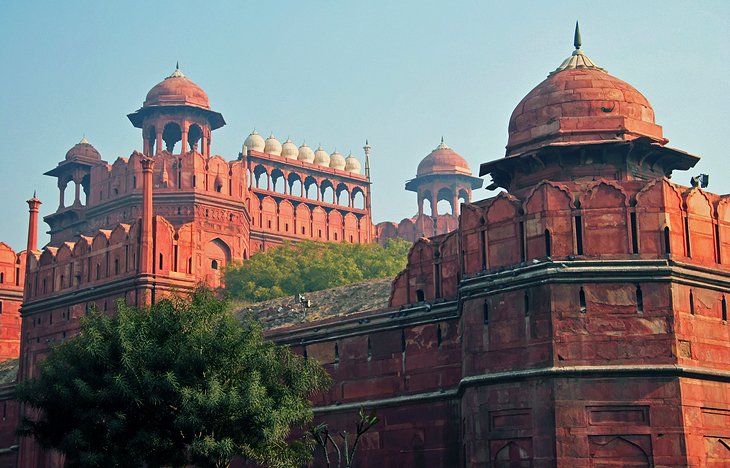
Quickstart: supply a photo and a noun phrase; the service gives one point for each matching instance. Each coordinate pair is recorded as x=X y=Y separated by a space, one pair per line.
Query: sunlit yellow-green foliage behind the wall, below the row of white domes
x=313 y=266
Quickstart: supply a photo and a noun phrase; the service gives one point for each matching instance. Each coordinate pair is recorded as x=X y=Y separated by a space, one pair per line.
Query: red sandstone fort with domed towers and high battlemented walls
x=577 y=318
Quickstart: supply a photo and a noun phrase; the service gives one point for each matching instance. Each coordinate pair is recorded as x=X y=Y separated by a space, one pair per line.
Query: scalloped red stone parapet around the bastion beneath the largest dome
x=600 y=219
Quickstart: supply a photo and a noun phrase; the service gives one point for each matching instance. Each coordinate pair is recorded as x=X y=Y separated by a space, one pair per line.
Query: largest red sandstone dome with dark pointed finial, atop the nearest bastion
x=579 y=102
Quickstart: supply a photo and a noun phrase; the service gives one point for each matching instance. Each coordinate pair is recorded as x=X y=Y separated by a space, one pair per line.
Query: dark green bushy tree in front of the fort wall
x=176 y=383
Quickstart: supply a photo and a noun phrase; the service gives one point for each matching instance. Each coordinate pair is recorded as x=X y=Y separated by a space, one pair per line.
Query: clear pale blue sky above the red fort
x=400 y=73
